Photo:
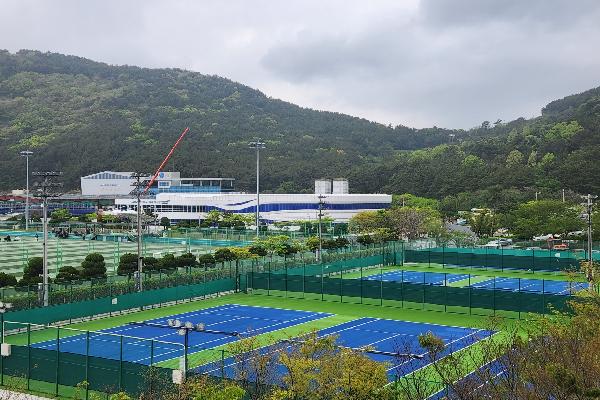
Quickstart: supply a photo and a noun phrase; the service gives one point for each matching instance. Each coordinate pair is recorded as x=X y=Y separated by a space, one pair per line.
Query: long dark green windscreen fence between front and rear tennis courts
x=442 y=297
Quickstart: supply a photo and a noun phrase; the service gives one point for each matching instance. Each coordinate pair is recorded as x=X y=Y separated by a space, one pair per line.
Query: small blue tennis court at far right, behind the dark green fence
x=531 y=285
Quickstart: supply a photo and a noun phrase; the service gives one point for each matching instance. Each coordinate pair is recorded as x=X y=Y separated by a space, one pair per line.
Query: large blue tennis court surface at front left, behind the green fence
x=166 y=343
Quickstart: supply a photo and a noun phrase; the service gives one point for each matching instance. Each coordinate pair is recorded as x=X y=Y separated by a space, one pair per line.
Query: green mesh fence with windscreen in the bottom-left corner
x=72 y=361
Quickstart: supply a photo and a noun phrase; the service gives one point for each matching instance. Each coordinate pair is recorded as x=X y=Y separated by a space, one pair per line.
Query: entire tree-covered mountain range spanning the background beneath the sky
x=81 y=116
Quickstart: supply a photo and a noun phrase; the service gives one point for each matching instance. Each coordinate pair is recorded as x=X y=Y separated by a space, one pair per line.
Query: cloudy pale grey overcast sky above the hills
x=450 y=63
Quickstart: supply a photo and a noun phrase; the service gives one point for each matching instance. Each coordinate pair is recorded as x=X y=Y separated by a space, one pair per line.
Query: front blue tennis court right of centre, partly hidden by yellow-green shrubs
x=387 y=336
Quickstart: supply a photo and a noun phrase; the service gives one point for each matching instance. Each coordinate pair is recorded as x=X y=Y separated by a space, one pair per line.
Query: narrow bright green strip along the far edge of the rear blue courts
x=438 y=268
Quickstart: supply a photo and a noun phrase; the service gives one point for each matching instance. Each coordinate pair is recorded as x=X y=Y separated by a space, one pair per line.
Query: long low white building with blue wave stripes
x=273 y=207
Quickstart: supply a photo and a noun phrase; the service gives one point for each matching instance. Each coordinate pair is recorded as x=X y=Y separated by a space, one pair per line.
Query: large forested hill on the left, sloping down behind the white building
x=81 y=116
